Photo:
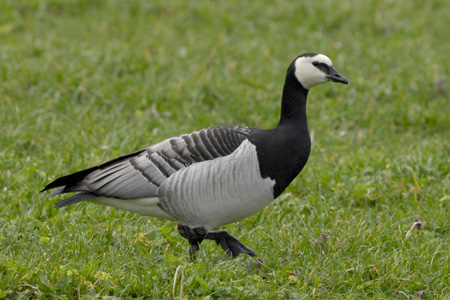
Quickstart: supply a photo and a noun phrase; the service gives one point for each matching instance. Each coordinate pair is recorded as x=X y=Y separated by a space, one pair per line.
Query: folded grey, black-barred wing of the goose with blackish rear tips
x=139 y=174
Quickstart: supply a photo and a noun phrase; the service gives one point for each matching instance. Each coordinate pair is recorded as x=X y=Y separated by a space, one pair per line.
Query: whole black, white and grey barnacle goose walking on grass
x=213 y=176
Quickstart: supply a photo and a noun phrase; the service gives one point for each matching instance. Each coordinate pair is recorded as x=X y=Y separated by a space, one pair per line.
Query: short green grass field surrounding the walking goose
x=83 y=81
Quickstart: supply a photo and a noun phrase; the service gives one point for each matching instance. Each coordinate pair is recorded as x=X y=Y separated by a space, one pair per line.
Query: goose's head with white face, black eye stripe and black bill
x=313 y=68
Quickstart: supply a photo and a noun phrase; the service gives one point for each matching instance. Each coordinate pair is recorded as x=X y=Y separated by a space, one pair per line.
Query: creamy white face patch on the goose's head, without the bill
x=307 y=74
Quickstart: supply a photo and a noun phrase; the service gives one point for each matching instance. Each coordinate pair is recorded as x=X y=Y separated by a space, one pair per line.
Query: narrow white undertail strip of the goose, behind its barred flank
x=143 y=206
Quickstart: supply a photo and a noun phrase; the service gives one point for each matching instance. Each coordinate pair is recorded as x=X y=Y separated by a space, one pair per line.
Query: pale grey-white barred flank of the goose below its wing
x=219 y=191
